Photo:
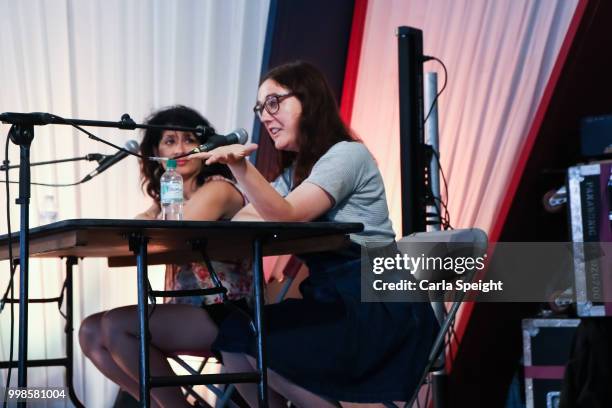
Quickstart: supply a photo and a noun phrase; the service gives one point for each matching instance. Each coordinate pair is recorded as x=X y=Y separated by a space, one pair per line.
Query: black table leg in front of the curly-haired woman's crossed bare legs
x=138 y=244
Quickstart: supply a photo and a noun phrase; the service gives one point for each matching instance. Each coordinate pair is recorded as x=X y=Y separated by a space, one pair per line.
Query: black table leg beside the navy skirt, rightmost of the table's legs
x=258 y=278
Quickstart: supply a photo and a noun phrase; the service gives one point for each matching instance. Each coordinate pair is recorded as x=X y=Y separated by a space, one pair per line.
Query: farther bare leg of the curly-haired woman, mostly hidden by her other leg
x=92 y=344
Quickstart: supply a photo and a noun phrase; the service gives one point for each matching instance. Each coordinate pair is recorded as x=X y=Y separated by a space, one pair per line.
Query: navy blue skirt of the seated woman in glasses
x=333 y=344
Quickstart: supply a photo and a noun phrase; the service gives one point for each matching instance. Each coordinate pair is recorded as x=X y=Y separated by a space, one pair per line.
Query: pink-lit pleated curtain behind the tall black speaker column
x=499 y=56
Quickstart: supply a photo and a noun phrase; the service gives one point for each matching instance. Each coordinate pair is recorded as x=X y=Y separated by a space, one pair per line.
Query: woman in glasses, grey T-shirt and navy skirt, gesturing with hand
x=328 y=346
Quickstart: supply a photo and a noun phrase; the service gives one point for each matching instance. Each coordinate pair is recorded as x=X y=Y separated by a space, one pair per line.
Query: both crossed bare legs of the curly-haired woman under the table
x=111 y=341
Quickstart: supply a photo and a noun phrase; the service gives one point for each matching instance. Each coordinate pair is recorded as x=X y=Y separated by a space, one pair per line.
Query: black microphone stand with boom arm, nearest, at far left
x=21 y=133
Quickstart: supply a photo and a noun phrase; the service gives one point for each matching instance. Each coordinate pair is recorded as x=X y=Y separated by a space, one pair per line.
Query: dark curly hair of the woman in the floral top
x=178 y=115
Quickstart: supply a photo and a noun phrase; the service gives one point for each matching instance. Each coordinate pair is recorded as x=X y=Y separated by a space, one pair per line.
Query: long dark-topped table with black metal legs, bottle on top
x=147 y=242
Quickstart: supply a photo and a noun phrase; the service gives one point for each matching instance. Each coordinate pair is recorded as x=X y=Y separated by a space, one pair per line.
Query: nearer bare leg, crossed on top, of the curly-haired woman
x=172 y=327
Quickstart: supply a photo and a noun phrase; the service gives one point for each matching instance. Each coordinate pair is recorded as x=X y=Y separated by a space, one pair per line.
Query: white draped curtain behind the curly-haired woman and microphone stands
x=99 y=59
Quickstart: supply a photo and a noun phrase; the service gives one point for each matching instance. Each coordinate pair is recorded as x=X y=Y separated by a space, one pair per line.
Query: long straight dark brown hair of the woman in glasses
x=320 y=124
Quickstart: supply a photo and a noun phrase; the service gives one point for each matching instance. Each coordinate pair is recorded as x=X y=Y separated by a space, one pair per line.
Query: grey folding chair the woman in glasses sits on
x=476 y=243
